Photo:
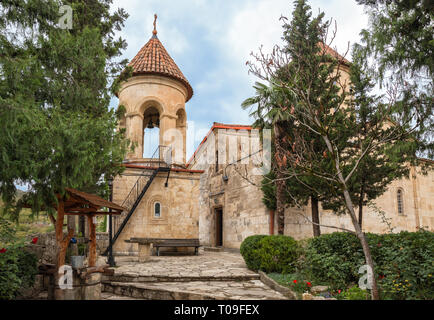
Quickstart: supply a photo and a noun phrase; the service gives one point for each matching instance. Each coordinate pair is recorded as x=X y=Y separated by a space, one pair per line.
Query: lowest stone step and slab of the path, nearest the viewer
x=197 y=290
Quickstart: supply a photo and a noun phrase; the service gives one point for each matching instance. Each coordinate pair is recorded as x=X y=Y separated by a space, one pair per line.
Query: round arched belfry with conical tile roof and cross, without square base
x=155 y=97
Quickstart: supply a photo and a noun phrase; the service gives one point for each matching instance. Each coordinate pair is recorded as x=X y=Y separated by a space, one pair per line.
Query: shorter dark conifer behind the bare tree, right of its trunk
x=376 y=170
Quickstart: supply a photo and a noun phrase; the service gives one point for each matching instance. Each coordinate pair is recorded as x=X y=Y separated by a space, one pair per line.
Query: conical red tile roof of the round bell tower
x=154 y=59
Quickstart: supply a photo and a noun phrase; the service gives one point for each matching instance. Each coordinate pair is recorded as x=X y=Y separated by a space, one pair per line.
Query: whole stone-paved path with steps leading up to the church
x=210 y=275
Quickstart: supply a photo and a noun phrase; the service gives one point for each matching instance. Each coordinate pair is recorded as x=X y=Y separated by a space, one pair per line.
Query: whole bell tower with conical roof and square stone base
x=159 y=192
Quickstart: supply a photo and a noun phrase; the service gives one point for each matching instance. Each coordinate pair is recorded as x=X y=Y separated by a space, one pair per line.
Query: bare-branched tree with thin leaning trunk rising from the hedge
x=308 y=67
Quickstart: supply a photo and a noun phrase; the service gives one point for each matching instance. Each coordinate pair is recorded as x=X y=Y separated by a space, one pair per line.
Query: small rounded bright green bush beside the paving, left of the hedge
x=270 y=253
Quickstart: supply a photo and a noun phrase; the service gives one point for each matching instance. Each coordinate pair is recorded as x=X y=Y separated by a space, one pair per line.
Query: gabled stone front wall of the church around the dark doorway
x=240 y=201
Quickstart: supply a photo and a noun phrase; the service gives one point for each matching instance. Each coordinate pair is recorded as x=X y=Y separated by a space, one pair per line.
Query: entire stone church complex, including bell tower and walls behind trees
x=216 y=196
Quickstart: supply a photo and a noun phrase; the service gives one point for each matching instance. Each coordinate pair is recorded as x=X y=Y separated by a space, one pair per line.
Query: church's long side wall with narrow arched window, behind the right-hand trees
x=418 y=195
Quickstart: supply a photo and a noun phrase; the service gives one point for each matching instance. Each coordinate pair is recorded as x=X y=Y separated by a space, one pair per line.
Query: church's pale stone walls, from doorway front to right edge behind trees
x=244 y=214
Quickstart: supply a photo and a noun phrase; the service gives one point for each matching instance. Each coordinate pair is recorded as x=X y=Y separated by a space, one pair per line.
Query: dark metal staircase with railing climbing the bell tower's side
x=159 y=162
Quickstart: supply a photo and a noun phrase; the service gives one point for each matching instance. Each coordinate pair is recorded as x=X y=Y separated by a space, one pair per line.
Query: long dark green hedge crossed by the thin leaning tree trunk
x=403 y=262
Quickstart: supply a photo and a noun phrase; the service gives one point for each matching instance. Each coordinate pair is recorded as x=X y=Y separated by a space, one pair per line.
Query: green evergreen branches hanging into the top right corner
x=400 y=42
